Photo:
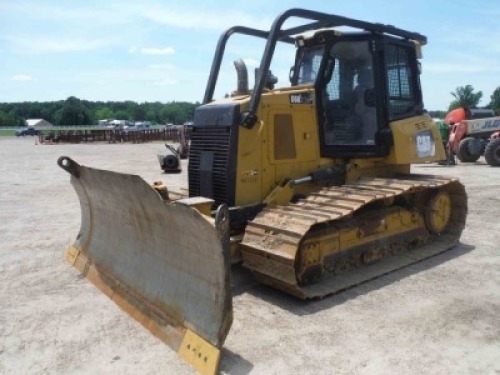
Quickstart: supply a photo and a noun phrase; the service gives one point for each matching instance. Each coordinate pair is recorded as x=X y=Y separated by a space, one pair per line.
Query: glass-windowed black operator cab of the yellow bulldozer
x=362 y=82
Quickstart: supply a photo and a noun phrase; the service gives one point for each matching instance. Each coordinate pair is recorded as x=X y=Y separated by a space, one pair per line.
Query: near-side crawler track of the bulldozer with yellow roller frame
x=335 y=230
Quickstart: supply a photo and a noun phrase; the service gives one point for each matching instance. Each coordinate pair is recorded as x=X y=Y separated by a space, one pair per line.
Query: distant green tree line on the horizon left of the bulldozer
x=74 y=111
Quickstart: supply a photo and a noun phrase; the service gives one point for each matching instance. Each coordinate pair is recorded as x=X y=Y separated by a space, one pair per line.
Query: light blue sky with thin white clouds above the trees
x=162 y=50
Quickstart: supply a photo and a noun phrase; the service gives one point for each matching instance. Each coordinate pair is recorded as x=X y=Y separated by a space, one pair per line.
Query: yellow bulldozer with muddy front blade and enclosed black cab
x=308 y=186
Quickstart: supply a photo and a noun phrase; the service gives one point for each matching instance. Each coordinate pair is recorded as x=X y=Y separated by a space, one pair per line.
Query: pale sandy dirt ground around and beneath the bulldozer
x=441 y=316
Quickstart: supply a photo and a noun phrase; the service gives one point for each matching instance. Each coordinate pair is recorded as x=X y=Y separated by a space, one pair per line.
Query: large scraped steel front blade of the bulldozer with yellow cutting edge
x=165 y=264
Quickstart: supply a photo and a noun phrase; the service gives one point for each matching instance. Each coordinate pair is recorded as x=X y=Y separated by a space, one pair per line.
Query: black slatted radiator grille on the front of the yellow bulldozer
x=217 y=140
